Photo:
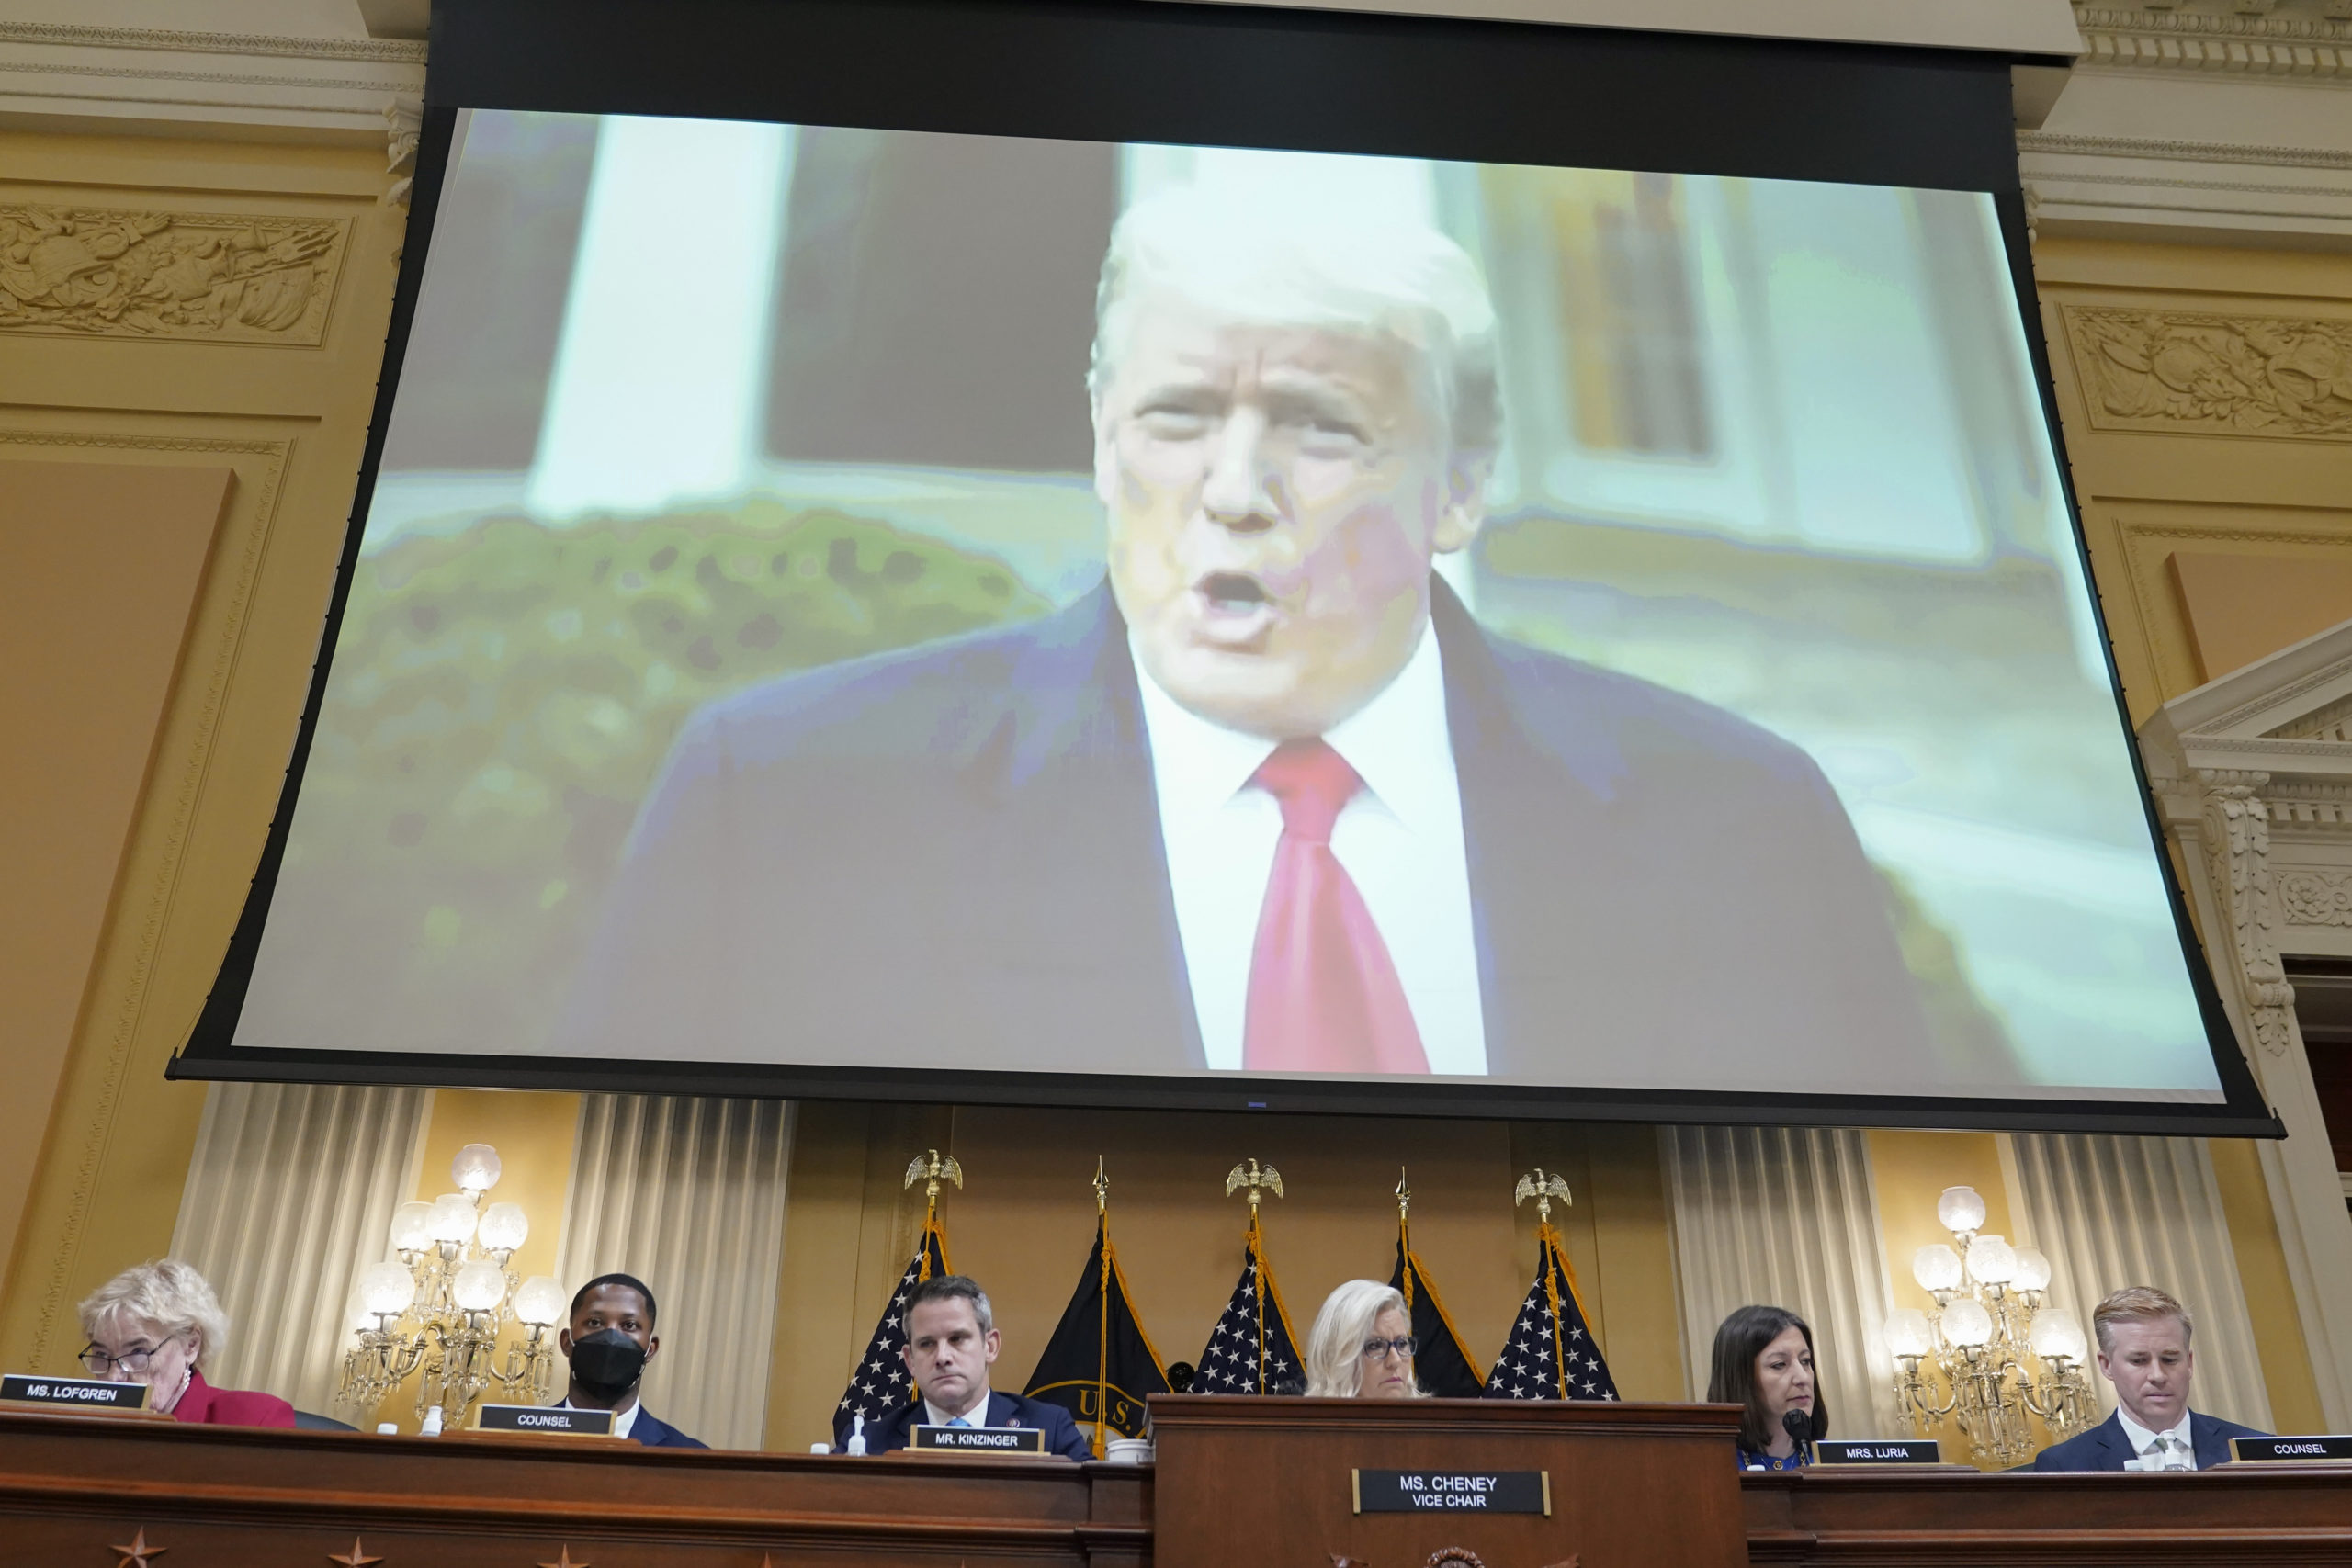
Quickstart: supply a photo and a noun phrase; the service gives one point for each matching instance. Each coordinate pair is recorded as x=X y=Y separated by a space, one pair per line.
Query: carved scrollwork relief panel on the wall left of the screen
x=225 y=279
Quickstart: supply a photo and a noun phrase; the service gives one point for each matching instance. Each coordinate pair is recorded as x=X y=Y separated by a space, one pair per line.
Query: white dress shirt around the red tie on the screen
x=1401 y=843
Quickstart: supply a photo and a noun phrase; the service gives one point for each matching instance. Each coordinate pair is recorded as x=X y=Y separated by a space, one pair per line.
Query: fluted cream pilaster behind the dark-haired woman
x=1786 y=1219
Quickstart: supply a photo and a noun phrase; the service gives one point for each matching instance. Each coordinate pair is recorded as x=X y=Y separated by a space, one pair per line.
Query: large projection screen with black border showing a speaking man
x=1194 y=603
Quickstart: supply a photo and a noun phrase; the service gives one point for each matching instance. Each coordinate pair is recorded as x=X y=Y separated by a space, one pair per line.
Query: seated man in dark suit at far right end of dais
x=2144 y=1351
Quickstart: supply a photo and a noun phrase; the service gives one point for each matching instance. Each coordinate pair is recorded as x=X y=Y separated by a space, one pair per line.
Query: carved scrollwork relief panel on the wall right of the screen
x=2226 y=375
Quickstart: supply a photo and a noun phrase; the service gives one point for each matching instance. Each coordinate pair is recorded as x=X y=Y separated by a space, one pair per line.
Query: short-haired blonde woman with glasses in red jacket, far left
x=156 y=1325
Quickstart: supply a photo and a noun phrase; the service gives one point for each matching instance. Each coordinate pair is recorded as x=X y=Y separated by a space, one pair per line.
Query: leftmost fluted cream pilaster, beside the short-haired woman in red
x=290 y=1195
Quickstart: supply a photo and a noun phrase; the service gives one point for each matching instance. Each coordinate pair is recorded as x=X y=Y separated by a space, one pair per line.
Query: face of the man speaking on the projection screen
x=1276 y=500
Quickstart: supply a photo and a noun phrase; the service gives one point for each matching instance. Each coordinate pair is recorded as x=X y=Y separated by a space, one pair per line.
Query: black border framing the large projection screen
x=1652 y=102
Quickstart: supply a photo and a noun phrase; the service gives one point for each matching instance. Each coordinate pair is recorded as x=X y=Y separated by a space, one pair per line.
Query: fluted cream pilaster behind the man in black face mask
x=688 y=1195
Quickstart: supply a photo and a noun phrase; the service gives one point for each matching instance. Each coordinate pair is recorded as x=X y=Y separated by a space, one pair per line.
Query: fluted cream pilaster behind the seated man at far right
x=2144 y=1212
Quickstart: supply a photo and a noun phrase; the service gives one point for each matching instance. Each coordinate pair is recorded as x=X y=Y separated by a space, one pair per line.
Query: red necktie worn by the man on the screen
x=1323 y=991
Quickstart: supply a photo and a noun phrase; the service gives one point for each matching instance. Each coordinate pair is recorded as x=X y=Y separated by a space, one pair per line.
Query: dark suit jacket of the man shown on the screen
x=951 y=857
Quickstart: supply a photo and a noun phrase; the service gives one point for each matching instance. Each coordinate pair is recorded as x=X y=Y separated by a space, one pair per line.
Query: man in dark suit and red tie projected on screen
x=1269 y=800
